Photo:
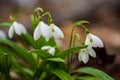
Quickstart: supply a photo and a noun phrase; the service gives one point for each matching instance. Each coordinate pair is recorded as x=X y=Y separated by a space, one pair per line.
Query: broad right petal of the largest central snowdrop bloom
x=45 y=31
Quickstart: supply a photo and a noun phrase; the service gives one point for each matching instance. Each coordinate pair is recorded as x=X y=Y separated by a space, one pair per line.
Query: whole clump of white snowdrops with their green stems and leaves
x=40 y=57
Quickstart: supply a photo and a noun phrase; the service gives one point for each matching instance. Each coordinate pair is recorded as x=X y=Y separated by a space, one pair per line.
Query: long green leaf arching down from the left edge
x=19 y=51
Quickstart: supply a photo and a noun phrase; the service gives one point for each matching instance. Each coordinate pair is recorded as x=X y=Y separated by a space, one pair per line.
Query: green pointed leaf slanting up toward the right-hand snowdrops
x=69 y=51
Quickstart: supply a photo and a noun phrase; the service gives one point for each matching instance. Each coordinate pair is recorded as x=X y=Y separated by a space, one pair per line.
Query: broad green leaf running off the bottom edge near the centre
x=61 y=74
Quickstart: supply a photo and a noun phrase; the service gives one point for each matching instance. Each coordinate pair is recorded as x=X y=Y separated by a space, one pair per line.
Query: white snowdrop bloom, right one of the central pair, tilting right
x=56 y=32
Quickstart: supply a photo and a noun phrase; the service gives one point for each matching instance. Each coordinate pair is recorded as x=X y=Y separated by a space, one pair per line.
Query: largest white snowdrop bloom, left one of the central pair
x=42 y=29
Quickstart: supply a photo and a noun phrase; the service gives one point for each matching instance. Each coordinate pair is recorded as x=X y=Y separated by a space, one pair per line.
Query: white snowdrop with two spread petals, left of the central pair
x=17 y=28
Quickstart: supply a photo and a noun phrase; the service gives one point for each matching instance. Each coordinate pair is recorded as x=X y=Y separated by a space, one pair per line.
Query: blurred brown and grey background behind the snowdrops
x=103 y=15
